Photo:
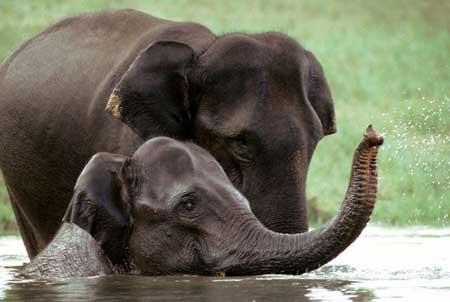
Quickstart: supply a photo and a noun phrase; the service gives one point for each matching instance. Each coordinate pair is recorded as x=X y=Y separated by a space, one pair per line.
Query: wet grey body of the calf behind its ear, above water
x=72 y=253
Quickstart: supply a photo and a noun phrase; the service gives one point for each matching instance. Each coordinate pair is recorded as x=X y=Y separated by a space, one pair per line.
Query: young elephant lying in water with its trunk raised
x=171 y=209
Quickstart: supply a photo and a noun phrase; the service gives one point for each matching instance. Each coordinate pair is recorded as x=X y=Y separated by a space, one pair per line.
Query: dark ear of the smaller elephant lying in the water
x=97 y=206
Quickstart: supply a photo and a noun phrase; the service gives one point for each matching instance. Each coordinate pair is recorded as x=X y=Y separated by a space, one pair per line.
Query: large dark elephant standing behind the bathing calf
x=258 y=102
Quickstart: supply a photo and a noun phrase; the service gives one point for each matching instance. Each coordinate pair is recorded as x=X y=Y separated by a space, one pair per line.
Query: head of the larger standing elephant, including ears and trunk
x=259 y=103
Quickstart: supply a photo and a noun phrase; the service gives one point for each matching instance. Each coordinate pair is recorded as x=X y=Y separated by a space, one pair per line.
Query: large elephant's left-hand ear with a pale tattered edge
x=152 y=96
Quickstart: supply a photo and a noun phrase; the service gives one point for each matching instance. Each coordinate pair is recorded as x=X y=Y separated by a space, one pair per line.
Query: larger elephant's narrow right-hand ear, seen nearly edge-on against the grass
x=320 y=96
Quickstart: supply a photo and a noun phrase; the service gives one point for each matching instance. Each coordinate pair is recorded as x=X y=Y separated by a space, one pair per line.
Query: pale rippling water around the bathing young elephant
x=411 y=264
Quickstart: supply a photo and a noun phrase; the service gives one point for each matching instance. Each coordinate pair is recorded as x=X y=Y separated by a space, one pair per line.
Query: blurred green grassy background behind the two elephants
x=387 y=62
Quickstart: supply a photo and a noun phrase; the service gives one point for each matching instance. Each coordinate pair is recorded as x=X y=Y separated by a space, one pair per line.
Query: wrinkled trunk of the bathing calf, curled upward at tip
x=265 y=251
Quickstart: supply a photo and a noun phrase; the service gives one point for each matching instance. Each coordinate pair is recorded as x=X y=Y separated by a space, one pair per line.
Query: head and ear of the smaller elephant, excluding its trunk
x=161 y=211
